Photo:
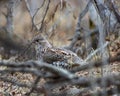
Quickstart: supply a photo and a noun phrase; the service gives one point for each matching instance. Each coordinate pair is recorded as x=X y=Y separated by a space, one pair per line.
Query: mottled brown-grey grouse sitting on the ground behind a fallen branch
x=57 y=56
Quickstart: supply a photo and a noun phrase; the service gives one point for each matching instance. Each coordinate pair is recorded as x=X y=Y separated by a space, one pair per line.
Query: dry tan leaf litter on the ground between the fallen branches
x=7 y=89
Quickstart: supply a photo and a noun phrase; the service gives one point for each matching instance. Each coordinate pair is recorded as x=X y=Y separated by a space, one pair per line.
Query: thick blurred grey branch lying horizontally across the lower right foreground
x=85 y=81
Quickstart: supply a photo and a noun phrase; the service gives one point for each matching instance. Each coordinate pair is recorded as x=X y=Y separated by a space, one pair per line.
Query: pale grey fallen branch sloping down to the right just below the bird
x=38 y=65
